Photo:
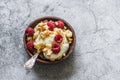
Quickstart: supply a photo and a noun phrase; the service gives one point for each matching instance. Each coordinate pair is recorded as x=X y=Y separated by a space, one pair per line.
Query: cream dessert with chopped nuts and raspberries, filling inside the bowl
x=50 y=38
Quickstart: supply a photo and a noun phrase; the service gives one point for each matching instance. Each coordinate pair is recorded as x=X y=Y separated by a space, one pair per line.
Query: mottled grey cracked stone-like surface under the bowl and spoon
x=97 y=27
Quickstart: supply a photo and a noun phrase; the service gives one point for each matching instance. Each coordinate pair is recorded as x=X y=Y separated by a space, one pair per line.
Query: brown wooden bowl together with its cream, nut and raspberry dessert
x=53 y=38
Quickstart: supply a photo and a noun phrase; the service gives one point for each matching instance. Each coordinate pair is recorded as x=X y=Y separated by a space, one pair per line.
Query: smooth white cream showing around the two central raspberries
x=63 y=48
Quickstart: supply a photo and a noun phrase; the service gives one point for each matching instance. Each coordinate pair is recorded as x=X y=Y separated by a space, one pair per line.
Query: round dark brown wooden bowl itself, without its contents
x=72 y=45
